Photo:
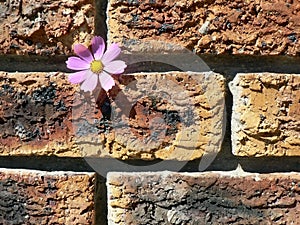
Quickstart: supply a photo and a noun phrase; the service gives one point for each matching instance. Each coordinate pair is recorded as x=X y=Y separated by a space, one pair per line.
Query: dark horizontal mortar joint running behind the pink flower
x=225 y=64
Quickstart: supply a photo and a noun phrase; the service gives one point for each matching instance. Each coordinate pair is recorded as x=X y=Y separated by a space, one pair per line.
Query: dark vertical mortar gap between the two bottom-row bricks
x=100 y=200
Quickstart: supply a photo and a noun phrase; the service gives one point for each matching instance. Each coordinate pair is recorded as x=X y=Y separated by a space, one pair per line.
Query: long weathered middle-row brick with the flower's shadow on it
x=145 y=116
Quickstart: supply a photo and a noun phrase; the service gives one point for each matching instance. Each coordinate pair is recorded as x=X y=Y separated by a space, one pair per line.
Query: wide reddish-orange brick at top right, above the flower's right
x=238 y=27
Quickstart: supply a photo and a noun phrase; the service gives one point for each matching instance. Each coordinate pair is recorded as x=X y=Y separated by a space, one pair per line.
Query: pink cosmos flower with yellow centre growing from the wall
x=95 y=65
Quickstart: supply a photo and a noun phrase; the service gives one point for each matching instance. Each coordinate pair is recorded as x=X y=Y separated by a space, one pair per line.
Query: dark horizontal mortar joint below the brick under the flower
x=104 y=165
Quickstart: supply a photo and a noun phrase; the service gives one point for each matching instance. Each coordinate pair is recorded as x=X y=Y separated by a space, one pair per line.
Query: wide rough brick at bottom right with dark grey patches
x=233 y=197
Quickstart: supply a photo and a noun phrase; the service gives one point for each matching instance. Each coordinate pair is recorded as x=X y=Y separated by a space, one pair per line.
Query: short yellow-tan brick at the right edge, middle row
x=265 y=118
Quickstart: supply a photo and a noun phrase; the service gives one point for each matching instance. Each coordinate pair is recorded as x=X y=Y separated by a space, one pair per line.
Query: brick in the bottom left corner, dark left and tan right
x=37 y=197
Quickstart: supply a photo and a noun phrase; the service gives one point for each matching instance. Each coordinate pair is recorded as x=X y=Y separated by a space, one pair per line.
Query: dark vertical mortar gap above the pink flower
x=100 y=18
